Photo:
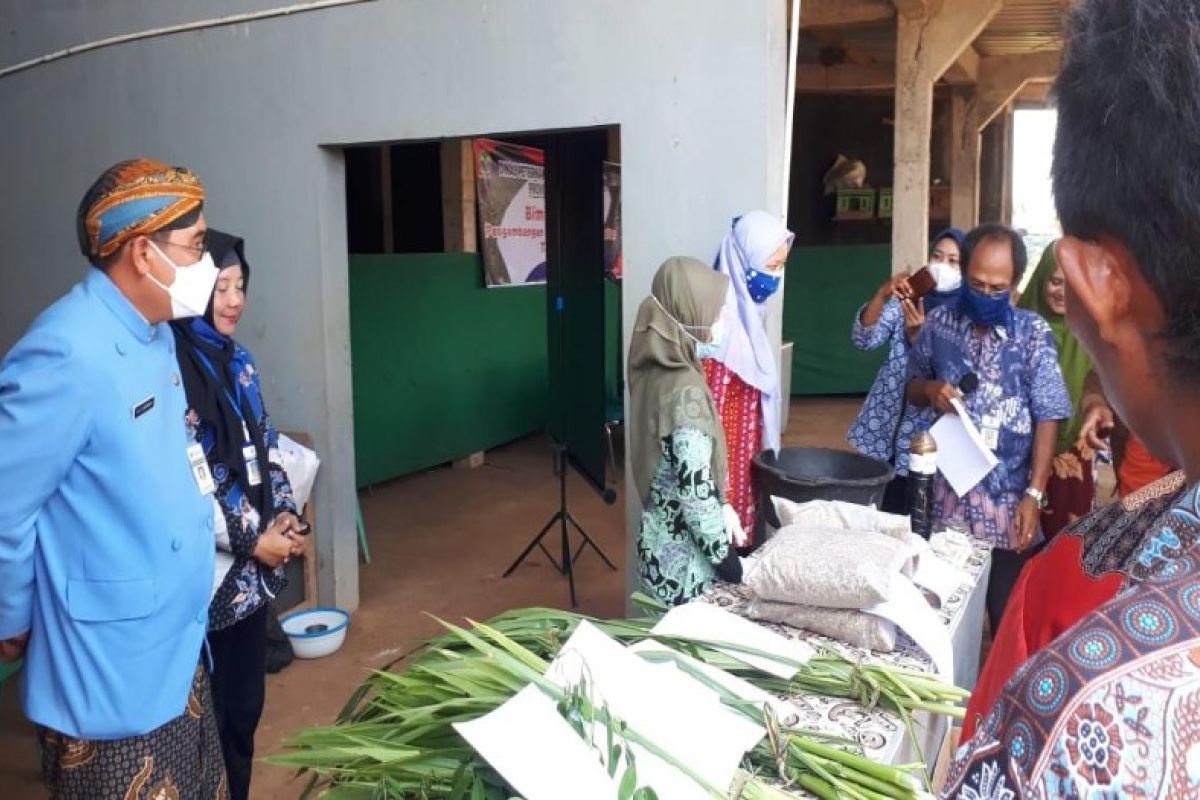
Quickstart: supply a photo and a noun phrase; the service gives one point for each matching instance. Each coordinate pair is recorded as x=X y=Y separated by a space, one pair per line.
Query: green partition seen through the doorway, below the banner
x=442 y=366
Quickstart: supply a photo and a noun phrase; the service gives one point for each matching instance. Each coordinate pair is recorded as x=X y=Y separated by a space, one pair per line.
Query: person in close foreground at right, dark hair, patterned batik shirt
x=1111 y=708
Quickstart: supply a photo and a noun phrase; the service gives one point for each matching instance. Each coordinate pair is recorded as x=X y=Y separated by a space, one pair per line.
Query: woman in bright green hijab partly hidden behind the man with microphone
x=1071 y=492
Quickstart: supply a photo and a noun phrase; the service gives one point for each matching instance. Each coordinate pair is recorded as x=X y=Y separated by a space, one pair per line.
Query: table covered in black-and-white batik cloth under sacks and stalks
x=881 y=733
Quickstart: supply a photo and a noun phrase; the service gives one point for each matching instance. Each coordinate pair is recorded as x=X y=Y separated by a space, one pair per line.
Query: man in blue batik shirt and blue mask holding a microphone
x=1017 y=399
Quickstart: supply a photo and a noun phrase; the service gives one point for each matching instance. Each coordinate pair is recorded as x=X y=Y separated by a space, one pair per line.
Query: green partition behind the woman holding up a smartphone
x=824 y=290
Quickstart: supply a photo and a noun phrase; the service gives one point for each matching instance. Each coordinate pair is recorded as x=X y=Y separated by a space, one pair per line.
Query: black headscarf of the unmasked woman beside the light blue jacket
x=213 y=396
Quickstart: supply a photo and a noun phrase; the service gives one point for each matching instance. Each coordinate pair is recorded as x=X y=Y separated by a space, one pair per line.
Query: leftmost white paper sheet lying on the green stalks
x=533 y=748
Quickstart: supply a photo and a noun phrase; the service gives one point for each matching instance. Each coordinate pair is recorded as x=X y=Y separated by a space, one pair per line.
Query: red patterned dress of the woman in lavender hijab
x=740 y=406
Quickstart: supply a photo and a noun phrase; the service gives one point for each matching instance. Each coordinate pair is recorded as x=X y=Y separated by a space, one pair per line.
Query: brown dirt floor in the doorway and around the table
x=440 y=543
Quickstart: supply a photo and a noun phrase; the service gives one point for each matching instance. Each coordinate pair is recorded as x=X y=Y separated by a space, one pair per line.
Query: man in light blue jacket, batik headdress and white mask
x=106 y=530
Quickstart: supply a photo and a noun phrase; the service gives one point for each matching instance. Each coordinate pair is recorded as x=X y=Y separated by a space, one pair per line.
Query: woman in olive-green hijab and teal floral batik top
x=677 y=447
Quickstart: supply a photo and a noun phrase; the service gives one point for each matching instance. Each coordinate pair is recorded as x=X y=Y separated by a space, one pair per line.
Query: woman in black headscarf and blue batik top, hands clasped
x=261 y=531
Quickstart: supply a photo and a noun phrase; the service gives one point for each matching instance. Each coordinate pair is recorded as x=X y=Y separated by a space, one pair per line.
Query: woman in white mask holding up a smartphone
x=895 y=317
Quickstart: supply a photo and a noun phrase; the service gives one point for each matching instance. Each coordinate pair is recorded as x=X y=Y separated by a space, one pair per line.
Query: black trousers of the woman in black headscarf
x=239 y=690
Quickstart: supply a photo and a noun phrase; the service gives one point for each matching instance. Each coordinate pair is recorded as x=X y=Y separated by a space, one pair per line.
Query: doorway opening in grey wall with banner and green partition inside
x=461 y=380
